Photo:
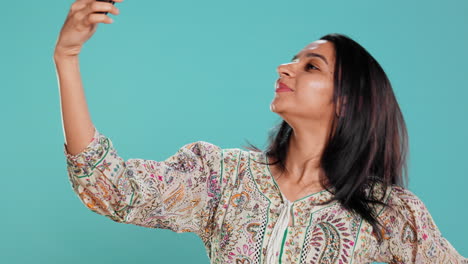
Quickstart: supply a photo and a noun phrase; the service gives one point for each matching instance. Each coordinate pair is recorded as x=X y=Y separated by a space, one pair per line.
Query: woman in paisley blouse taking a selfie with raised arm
x=329 y=188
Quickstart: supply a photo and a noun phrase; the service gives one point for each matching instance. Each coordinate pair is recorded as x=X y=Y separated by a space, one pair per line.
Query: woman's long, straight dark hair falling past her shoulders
x=367 y=148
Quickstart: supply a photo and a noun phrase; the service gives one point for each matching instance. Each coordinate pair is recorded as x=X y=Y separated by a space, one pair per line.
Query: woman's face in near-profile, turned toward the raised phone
x=310 y=78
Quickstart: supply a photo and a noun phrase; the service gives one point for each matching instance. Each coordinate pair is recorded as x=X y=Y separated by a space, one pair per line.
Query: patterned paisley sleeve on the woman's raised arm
x=180 y=193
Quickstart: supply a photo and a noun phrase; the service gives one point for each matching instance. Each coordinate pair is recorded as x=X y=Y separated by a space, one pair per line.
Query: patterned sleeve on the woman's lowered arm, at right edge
x=411 y=234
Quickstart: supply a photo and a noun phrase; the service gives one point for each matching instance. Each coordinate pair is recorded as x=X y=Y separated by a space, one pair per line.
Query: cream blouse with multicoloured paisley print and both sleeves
x=232 y=202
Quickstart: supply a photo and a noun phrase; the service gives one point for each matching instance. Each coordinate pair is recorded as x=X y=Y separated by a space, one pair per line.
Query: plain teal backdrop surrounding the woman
x=166 y=73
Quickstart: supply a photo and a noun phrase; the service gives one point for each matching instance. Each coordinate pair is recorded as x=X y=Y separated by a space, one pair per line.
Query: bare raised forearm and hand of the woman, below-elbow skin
x=79 y=26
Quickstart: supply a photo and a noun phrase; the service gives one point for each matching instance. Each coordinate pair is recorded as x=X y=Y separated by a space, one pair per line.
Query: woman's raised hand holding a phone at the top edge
x=81 y=23
